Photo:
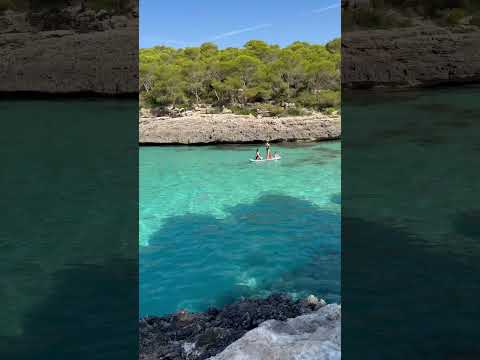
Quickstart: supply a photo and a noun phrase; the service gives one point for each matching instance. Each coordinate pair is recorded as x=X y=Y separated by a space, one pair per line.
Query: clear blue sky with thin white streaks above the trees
x=181 y=23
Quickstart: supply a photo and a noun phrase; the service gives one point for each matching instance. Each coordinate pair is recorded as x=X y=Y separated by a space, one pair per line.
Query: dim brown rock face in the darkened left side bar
x=87 y=52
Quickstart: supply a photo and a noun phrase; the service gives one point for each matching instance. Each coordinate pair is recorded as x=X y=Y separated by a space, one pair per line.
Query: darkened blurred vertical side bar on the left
x=69 y=179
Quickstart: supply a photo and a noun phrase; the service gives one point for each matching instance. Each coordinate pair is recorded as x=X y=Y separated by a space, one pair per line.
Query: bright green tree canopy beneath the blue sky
x=304 y=74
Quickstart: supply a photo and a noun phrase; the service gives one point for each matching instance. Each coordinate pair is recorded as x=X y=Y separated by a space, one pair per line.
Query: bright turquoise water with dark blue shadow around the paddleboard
x=215 y=227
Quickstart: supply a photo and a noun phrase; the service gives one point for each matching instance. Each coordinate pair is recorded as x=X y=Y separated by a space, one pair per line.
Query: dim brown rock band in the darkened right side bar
x=411 y=57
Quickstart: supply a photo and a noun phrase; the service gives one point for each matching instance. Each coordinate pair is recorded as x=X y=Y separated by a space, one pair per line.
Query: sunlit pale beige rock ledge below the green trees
x=229 y=128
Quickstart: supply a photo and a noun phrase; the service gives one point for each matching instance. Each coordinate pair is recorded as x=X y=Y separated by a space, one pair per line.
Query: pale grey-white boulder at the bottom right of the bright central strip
x=314 y=336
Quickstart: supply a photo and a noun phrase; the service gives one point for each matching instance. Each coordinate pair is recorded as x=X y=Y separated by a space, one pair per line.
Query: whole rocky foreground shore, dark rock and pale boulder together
x=244 y=329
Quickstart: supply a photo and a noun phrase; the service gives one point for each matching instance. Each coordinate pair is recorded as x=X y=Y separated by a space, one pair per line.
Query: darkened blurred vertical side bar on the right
x=410 y=180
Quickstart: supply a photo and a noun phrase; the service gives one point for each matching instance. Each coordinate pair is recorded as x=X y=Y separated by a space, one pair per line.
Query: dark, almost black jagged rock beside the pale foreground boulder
x=203 y=335
